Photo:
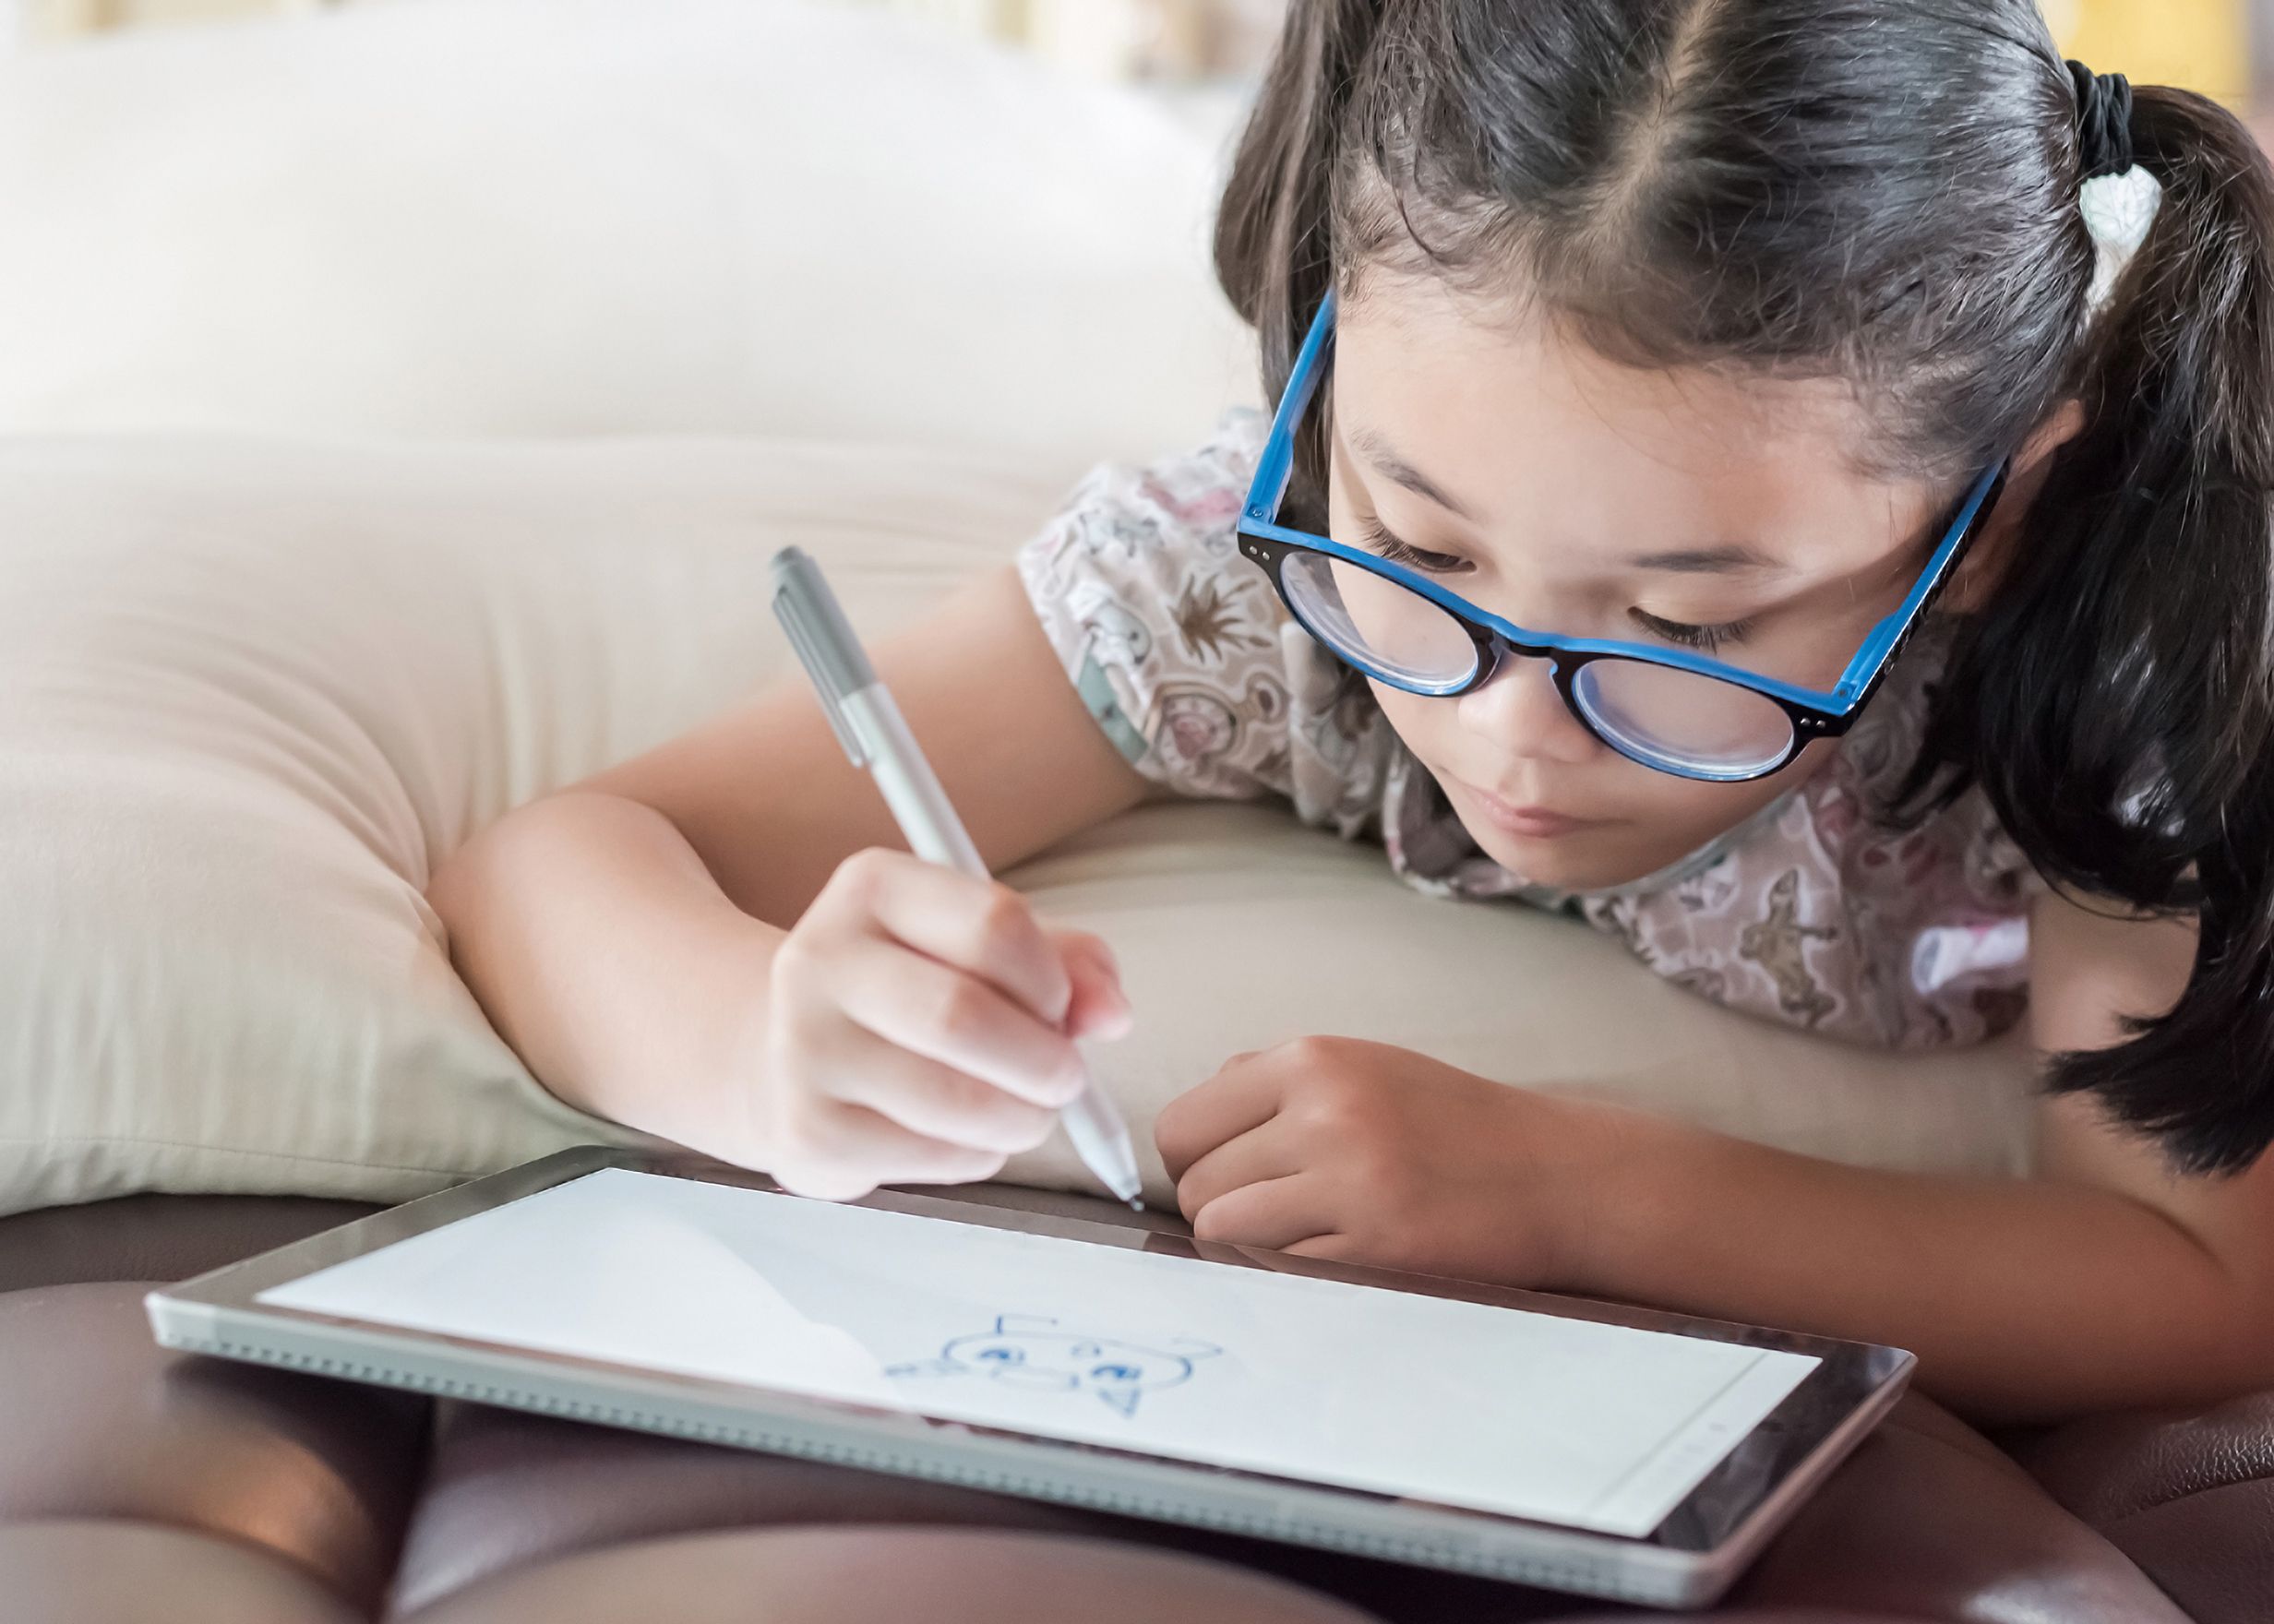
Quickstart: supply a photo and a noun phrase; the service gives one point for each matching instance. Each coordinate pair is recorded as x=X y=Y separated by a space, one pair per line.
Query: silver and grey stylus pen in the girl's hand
x=877 y=738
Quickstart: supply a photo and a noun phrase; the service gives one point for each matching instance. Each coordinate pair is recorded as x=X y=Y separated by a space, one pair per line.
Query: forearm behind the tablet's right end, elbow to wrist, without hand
x=2023 y=1300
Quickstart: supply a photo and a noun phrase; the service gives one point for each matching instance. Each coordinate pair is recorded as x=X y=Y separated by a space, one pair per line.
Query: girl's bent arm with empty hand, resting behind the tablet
x=2105 y=1282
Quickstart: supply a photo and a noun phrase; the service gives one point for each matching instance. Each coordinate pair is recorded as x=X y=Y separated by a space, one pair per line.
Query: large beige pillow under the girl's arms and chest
x=254 y=690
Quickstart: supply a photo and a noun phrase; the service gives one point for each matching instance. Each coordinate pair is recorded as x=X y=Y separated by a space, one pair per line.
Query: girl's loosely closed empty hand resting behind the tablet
x=1356 y=1152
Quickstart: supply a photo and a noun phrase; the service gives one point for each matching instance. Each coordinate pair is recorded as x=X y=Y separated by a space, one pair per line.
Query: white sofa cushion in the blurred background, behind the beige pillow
x=576 y=217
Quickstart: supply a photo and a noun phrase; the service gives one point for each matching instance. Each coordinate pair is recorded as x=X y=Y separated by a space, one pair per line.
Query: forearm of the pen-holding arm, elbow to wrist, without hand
x=608 y=959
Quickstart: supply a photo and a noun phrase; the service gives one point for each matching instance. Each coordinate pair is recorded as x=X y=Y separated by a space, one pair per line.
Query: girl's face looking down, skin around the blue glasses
x=1570 y=495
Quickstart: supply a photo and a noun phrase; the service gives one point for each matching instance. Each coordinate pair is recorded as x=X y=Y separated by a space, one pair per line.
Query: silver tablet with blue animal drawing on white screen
x=1547 y=1441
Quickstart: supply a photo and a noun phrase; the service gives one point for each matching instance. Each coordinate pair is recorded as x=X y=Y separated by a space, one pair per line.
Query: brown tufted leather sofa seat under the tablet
x=149 y=1486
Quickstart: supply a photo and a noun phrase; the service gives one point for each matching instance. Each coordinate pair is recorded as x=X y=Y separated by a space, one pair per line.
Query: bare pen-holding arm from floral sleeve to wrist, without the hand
x=620 y=934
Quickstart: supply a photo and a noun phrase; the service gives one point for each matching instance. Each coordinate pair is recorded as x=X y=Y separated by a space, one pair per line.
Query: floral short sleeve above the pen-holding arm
x=1177 y=645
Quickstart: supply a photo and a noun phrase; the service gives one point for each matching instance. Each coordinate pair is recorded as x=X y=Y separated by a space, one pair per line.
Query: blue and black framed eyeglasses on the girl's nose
x=1673 y=711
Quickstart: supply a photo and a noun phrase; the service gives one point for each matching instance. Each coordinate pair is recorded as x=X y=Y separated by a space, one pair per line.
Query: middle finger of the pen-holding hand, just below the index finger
x=961 y=1022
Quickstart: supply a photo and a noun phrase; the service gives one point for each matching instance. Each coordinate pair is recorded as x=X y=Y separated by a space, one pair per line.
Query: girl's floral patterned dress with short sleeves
x=1811 y=913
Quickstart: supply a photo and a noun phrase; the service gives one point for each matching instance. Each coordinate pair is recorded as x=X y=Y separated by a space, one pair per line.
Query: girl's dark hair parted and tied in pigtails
x=1886 y=192
